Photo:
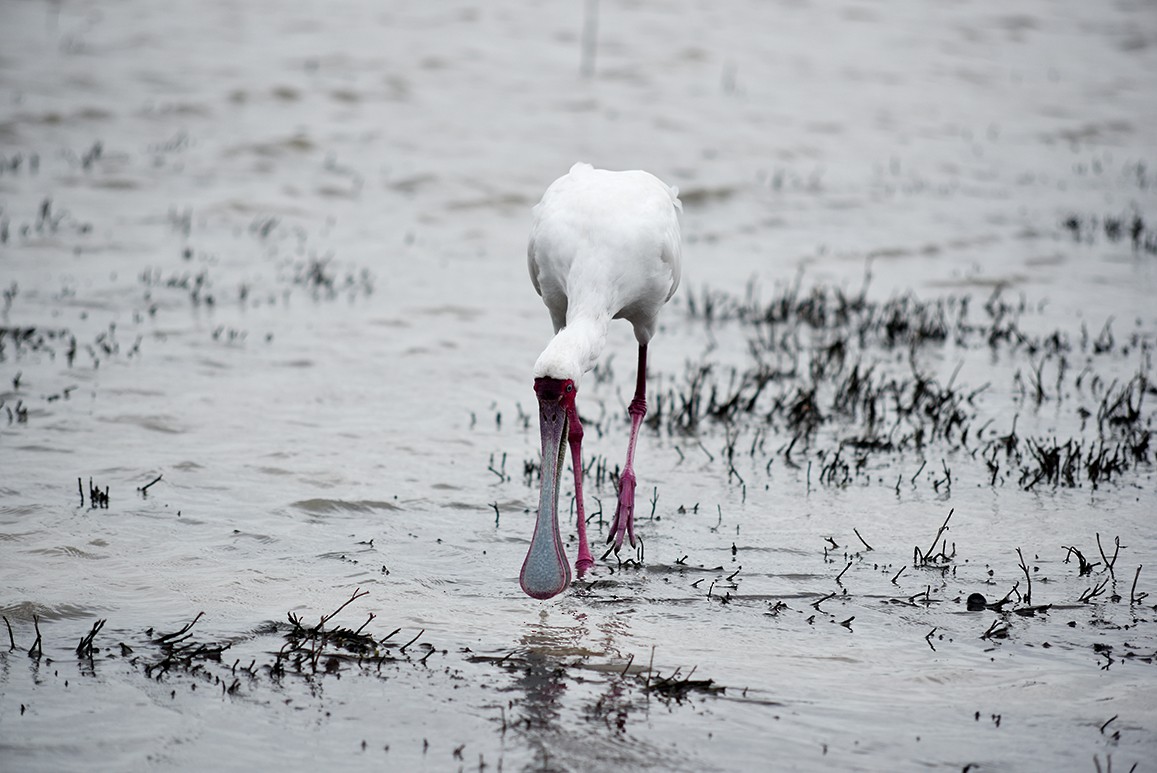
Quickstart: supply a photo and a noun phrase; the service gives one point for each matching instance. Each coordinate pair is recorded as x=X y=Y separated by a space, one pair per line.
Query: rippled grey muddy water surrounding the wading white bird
x=289 y=245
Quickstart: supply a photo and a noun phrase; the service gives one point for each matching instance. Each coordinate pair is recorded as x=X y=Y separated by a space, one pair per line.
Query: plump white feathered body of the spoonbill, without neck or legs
x=607 y=244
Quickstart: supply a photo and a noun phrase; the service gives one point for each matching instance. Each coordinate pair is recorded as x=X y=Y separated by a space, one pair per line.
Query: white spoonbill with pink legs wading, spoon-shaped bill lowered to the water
x=603 y=246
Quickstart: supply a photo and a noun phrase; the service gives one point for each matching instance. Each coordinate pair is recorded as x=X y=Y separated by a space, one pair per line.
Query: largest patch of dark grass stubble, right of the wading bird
x=837 y=380
